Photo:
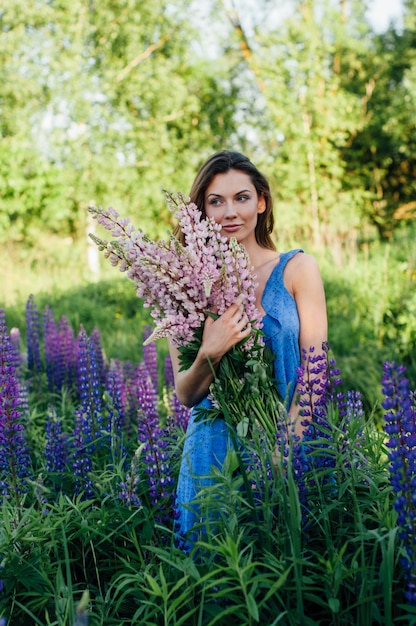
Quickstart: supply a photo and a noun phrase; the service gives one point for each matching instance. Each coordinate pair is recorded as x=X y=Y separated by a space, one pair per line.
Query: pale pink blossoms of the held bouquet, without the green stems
x=179 y=283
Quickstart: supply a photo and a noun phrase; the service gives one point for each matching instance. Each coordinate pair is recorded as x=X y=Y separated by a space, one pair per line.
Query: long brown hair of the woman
x=221 y=163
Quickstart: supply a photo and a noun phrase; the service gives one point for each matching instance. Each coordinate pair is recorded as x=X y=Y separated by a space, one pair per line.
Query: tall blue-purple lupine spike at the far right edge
x=400 y=426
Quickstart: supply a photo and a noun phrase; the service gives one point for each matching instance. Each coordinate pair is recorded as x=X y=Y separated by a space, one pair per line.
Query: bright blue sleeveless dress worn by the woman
x=206 y=444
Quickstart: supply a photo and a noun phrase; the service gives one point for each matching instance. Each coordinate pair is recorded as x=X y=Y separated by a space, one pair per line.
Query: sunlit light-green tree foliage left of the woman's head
x=102 y=101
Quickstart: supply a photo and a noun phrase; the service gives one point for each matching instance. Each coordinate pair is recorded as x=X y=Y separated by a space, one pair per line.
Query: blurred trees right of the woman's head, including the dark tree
x=333 y=117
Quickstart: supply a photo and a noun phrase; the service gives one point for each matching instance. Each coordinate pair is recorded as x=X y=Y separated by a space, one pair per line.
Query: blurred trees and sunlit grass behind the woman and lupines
x=109 y=102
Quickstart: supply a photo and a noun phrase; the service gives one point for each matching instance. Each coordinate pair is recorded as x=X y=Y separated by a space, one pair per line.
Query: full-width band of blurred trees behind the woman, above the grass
x=109 y=101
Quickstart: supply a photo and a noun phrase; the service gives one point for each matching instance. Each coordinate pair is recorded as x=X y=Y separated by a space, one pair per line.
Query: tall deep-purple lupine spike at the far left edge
x=15 y=462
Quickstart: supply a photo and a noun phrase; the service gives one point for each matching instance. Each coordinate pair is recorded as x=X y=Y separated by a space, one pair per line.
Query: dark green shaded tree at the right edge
x=381 y=156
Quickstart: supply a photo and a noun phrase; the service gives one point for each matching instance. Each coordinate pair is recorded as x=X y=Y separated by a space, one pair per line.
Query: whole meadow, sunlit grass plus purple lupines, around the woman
x=92 y=434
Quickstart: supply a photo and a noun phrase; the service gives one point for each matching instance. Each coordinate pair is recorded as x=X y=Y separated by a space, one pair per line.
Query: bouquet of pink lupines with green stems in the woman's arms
x=181 y=284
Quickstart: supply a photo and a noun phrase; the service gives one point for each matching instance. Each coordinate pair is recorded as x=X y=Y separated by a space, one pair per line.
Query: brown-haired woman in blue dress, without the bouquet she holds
x=290 y=296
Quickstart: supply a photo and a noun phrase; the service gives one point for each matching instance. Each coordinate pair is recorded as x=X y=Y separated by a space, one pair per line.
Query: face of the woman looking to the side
x=232 y=200
